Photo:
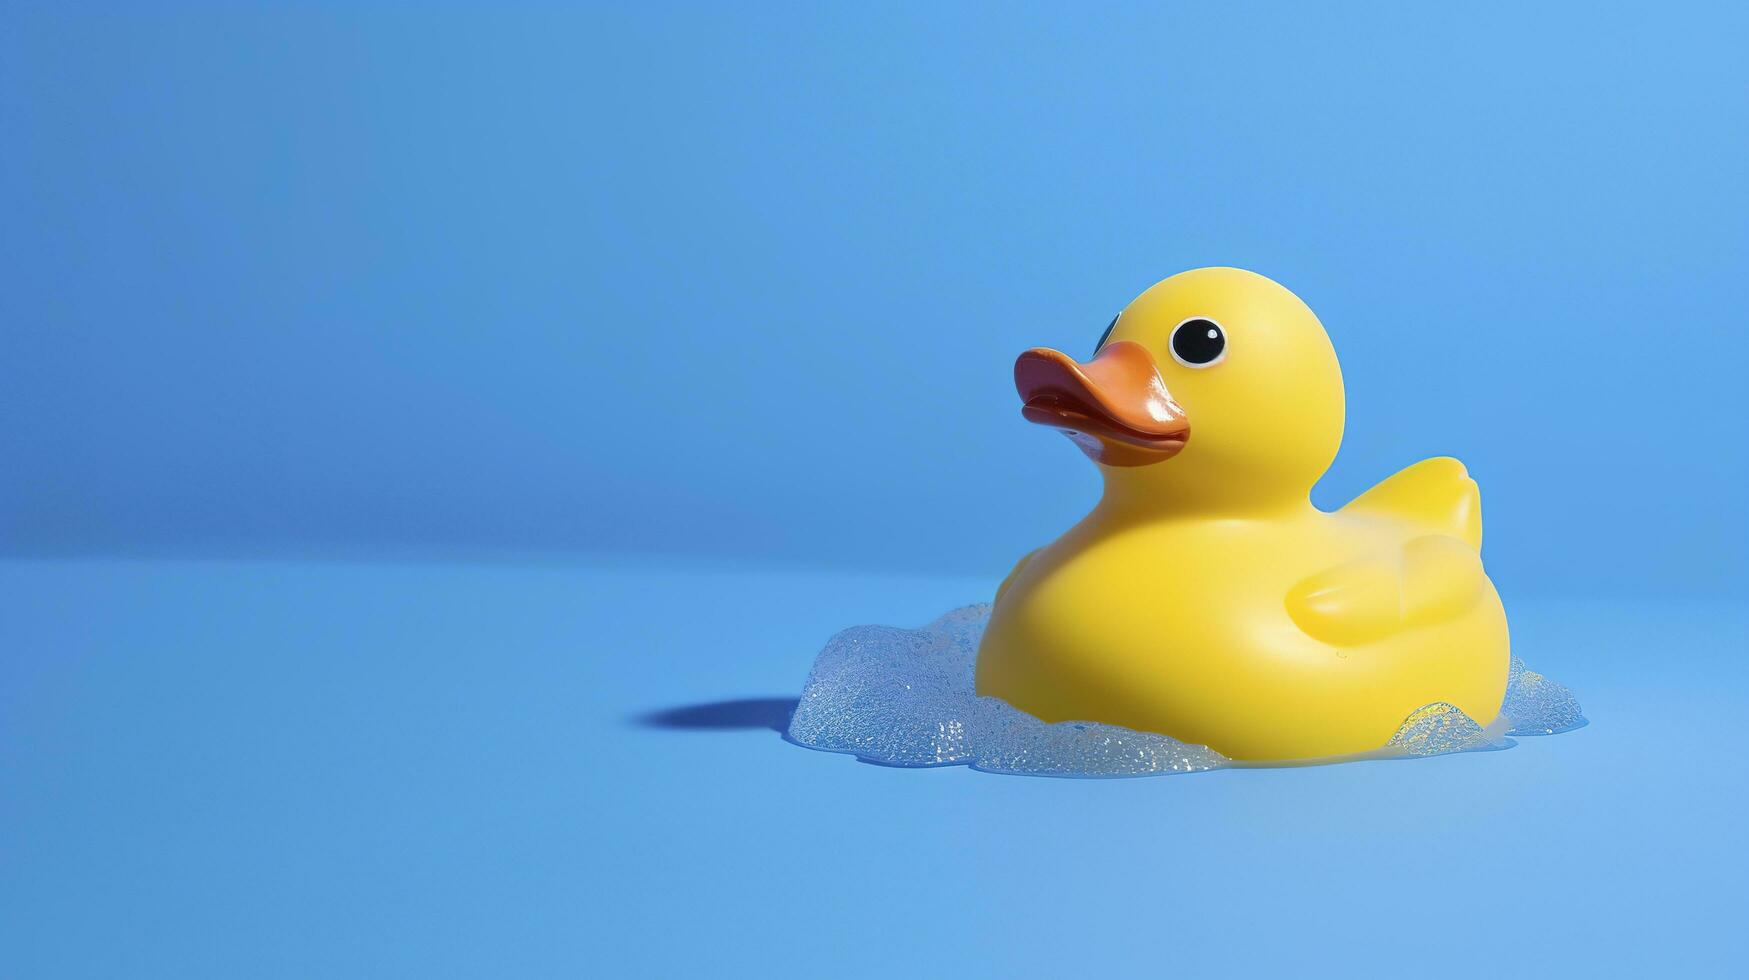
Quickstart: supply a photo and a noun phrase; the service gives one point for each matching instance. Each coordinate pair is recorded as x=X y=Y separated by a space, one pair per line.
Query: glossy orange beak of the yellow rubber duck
x=1115 y=407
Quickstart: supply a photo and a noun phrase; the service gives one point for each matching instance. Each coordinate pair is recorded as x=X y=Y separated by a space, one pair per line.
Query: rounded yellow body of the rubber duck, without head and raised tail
x=1197 y=627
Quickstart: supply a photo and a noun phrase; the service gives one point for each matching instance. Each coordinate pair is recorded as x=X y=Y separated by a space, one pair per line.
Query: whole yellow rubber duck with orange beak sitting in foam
x=1206 y=598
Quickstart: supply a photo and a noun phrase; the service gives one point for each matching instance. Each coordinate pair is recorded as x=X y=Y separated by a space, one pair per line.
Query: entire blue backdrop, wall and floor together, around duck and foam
x=421 y=428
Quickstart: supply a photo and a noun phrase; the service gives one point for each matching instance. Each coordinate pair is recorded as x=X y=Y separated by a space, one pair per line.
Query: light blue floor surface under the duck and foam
x=449 y=771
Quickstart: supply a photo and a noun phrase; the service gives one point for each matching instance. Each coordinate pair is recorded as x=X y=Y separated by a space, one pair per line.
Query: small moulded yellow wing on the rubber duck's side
x=1433 y=578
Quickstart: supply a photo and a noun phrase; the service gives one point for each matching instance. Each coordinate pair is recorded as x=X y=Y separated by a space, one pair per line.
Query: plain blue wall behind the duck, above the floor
x=683 y=279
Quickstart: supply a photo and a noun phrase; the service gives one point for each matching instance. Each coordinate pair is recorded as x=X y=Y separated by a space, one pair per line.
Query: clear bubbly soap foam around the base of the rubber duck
x=909 y=699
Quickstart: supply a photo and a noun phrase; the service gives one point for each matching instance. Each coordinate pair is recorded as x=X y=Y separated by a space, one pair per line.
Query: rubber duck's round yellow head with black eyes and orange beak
x=1216 y=386
